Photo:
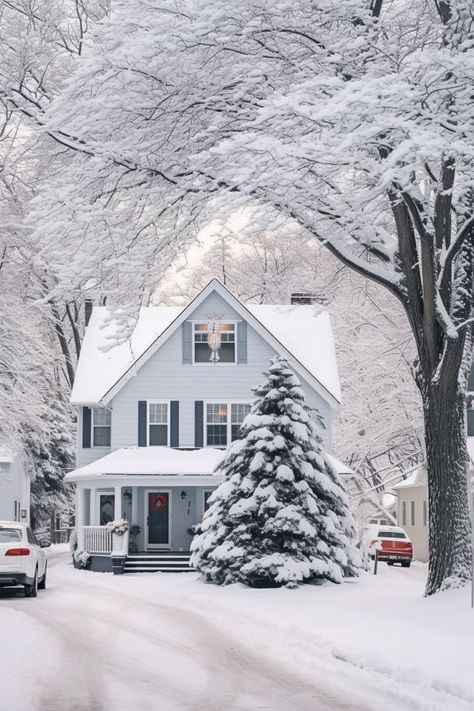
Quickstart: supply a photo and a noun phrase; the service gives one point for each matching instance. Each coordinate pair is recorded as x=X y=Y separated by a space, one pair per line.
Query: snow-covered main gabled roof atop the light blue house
x=304 y=331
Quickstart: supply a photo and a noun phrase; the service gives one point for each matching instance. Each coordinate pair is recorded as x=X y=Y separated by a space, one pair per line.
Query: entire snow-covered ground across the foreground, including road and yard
x=94 y=641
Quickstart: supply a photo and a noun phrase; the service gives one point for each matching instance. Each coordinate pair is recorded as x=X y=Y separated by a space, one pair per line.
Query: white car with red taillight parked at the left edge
x=22 y=559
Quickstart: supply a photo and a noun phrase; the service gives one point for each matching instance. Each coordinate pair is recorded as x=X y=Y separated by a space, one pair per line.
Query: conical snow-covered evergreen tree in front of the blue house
x=281 y=516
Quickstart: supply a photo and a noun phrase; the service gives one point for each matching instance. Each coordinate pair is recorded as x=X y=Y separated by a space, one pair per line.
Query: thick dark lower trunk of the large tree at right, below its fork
x=449 y=521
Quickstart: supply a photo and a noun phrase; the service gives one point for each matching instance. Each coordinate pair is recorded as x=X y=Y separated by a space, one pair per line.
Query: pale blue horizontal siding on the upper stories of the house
x=165 y=377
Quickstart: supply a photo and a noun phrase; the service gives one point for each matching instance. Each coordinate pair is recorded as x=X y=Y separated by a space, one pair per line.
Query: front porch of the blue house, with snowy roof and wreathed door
x=162 y=492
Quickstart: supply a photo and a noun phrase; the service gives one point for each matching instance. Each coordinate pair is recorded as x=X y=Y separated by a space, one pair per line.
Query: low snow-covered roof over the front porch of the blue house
x=151 y=461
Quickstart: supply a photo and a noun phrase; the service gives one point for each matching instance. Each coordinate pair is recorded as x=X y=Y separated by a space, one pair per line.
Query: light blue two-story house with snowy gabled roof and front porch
x=157 y=412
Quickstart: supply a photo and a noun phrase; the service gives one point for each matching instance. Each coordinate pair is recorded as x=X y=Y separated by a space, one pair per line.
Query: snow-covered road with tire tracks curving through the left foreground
x=95 y=650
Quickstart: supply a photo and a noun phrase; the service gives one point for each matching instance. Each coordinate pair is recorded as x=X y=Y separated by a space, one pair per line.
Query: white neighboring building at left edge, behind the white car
x=14 y=487
